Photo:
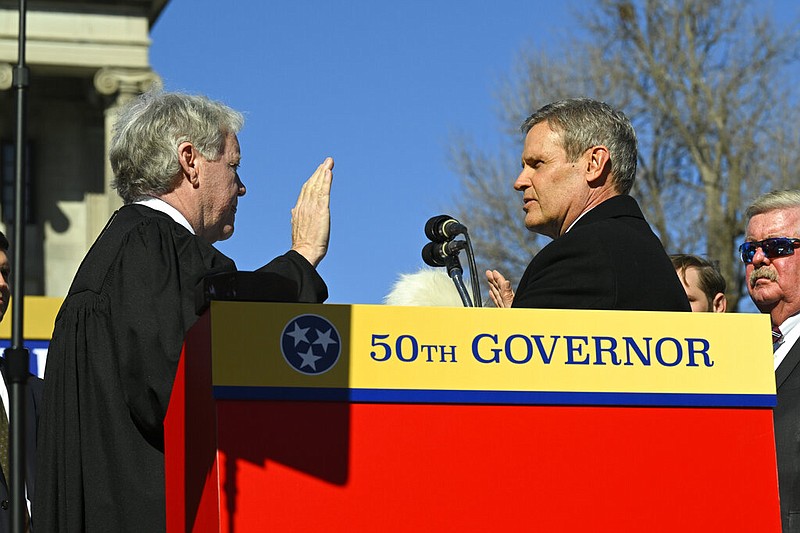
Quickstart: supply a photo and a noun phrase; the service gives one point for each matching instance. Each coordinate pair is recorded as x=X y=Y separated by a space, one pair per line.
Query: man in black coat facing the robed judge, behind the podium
x=578 y=166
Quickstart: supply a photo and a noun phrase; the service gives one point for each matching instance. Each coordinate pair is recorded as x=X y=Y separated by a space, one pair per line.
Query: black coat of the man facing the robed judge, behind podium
x=610 y=259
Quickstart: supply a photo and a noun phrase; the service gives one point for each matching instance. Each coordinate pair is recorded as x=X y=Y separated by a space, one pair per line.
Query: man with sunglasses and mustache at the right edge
x=772 y=271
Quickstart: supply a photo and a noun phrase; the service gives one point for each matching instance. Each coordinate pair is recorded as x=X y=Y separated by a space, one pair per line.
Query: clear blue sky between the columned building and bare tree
x=382 y=86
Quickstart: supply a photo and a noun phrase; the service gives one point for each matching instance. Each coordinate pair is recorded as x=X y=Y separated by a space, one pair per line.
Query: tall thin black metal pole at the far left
x=17 y=356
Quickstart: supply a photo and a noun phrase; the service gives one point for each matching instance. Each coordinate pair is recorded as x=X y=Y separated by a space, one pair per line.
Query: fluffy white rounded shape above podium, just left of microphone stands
x=426 y=287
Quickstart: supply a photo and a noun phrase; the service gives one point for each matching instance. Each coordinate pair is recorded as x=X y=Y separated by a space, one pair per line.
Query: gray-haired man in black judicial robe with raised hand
x=118 y=335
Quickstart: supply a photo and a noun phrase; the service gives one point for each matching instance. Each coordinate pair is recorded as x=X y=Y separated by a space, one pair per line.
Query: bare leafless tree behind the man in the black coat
x=707 y=87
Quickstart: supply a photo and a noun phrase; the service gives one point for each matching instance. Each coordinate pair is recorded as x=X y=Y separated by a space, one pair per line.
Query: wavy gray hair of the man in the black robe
x=148 y=131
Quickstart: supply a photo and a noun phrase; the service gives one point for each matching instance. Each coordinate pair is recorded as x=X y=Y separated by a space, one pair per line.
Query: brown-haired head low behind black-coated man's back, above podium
x=703 y=283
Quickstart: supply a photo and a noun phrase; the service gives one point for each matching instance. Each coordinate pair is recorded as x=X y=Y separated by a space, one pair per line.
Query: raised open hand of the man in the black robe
x=311 y=216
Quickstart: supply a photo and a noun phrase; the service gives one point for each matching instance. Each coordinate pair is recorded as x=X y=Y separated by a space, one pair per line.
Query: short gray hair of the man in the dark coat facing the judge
x=583 y=123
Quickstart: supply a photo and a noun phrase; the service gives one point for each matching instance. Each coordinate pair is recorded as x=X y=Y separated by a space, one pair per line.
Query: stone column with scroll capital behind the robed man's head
x=120 y=85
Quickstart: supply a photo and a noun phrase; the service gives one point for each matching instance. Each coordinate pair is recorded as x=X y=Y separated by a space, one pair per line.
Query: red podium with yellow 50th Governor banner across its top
x=301 y=417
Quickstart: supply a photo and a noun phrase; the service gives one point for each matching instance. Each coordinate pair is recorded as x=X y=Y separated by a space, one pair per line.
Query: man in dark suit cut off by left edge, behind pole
x=33 y=394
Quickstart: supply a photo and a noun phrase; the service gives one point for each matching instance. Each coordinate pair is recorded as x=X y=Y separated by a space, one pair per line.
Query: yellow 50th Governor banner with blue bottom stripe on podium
x=479 y=355
